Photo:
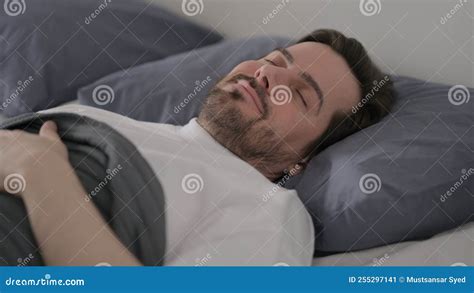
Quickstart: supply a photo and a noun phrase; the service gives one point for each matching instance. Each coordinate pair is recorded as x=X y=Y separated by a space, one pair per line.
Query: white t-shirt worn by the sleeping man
x=219 y=209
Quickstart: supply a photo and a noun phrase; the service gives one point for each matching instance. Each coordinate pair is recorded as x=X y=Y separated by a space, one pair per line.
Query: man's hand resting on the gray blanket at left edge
x=24 y=155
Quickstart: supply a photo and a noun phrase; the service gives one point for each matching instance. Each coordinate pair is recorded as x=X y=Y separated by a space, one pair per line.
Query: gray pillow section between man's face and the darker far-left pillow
x=172 y=90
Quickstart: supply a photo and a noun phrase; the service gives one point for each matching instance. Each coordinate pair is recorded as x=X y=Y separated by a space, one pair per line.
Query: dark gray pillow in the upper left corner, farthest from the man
x=50 y=48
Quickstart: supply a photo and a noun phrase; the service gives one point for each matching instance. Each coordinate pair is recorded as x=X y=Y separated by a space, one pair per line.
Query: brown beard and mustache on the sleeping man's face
x=251 y=139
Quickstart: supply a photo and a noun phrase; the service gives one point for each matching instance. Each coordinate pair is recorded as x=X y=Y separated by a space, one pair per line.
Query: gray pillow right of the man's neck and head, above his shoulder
x=408 y=177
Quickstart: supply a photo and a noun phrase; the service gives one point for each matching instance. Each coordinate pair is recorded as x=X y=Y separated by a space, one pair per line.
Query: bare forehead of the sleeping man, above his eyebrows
x=328 y=68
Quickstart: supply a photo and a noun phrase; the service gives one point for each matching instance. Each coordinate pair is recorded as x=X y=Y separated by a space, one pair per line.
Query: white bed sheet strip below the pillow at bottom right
x=451 y=248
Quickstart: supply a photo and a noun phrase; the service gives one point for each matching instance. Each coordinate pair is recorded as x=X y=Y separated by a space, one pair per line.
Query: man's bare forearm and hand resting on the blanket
x=68 y=229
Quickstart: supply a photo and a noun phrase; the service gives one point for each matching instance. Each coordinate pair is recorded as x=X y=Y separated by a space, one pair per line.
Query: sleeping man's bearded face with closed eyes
x=269 y=111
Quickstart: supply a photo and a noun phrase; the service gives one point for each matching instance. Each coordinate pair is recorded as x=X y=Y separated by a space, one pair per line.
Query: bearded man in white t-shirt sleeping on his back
x=266 y=118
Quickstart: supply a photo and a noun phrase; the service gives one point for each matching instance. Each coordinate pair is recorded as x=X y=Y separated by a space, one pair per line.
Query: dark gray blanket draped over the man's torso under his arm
x=116 y=178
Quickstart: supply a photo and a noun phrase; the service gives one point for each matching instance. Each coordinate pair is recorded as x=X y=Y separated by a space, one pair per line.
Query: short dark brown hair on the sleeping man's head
x=376 y=104
